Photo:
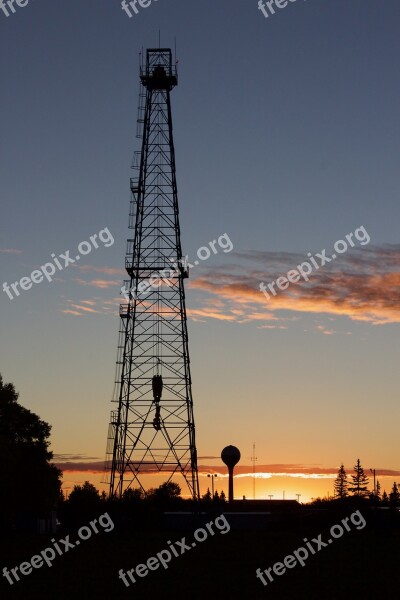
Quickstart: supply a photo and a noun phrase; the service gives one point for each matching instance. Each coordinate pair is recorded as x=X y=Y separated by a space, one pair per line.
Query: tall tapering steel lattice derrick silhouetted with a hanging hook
x=153 y=429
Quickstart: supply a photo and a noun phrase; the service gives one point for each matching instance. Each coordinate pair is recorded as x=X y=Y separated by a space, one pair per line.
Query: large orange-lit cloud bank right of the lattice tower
x=363 y=285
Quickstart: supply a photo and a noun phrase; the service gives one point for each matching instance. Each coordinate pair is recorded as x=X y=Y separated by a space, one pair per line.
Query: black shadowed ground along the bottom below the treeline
x=361 y=564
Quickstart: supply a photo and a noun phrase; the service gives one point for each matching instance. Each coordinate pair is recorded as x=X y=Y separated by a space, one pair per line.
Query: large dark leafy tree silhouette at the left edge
x=25 y=461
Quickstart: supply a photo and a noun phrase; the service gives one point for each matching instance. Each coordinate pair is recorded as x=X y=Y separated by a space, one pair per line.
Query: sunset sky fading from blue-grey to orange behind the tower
x=286 y=134
